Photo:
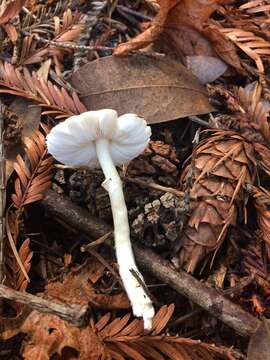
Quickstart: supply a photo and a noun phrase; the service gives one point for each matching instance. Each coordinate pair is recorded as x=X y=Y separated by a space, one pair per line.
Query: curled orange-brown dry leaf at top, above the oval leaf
x=181 y=29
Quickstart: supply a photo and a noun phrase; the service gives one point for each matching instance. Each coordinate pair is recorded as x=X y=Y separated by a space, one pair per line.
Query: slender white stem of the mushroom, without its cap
x=140 y=301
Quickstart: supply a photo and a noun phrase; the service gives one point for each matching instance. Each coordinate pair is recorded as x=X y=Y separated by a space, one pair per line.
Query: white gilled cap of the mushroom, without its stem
x=72 y=142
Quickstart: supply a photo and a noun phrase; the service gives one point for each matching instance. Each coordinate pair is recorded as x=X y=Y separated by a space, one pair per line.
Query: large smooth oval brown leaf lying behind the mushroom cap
x=157 y=88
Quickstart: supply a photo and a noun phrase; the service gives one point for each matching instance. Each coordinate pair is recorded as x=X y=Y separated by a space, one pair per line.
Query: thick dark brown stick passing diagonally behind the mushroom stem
x=207 y=298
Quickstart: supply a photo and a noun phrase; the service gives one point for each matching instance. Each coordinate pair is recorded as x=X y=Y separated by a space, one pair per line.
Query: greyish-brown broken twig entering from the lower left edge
x=75 y=314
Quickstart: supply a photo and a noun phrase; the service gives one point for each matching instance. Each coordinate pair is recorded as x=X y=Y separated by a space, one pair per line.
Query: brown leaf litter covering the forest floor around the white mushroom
x=198 y=198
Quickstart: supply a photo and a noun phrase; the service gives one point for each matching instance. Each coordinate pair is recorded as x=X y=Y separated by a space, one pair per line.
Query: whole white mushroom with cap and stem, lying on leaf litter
x=100 y=137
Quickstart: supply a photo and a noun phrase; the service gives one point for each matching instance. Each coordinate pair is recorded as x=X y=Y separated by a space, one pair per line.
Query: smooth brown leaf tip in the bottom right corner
x=258 y=348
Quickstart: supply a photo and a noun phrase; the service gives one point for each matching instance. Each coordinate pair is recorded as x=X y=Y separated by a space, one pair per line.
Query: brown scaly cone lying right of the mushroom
x=221 y=165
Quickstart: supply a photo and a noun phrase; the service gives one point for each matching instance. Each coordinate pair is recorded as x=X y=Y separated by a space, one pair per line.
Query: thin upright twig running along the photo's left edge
x=2 y=193
